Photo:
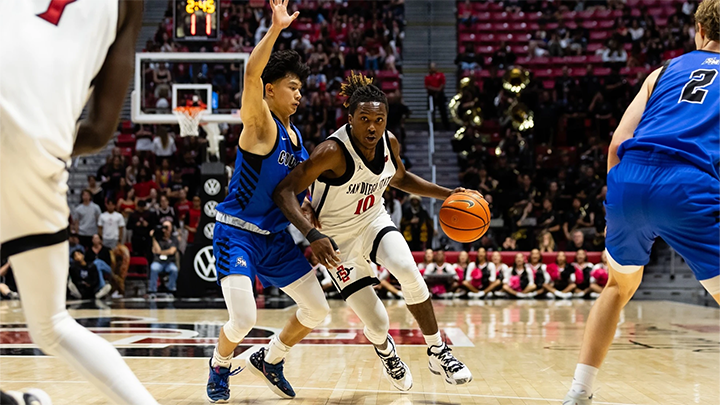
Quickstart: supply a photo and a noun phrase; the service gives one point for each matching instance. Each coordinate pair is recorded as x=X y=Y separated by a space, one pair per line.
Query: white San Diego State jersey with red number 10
x=349 y=203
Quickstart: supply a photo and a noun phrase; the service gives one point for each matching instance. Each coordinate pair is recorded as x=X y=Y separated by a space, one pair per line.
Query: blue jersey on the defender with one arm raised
x=255 y=179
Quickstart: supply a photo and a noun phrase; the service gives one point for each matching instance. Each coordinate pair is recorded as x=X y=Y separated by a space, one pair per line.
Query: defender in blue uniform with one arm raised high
x=250 y=238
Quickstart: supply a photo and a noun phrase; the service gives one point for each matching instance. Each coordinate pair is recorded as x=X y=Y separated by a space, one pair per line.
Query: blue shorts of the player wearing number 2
x=651 y=195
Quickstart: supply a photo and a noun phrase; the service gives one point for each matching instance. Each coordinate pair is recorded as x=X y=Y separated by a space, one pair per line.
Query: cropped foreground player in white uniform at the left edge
x=57 y=54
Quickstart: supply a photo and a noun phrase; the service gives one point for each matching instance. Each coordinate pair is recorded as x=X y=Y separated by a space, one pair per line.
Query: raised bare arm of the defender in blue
x=254 y=111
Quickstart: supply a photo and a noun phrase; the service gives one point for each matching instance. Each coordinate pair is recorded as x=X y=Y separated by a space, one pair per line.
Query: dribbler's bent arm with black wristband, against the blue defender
x=326 y=159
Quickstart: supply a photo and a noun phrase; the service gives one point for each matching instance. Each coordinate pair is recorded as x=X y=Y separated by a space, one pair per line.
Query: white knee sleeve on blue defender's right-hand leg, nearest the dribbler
x=310 y=298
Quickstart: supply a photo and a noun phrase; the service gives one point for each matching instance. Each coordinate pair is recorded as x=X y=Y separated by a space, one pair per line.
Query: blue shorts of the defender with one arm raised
x=274 y=258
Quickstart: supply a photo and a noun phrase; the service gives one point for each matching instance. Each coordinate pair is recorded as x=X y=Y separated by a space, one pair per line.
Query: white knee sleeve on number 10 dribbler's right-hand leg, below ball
x=394 y=254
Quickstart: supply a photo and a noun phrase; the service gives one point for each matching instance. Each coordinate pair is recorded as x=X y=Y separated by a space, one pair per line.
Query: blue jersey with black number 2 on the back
x=682 y=115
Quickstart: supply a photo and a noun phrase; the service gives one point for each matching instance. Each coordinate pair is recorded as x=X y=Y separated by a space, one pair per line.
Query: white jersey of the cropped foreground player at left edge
x=50 y=53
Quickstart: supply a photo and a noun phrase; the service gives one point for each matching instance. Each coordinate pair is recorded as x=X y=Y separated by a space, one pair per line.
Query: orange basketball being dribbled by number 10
x=465 y=217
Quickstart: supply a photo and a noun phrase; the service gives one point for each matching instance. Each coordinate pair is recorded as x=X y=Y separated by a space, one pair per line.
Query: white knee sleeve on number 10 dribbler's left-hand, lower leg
x=368 y=307
